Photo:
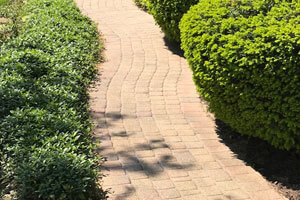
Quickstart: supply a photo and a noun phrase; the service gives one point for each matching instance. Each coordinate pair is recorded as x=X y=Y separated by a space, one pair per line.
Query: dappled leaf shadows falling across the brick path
x=149 y=159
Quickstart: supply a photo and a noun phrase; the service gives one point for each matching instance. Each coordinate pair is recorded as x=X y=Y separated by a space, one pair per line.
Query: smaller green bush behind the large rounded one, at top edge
x=168 y=13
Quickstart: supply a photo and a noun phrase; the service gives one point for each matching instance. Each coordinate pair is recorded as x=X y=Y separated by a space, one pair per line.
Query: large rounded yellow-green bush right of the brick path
x=245 y=59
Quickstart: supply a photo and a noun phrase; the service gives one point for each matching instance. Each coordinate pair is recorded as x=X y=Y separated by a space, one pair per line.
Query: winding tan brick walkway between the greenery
x=159 y=141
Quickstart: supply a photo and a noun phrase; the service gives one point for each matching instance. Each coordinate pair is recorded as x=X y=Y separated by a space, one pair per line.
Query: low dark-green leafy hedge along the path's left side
x=46 y=149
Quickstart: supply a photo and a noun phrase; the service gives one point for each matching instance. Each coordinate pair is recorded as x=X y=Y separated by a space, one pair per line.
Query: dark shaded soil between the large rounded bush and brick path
x=278 y=166
